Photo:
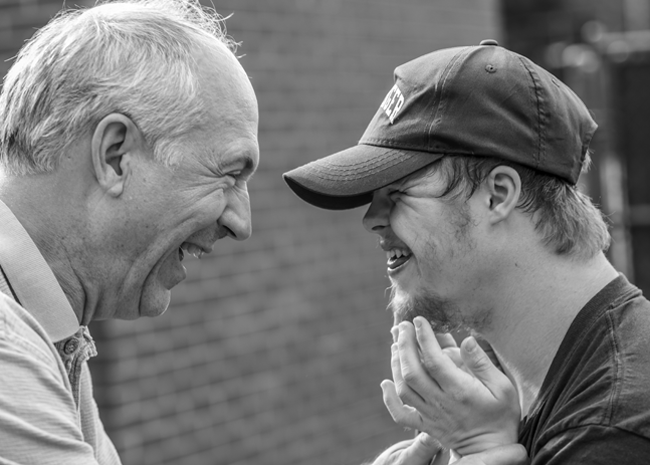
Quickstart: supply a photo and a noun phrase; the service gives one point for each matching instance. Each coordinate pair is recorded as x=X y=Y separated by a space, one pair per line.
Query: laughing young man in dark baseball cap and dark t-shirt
x=470 y=168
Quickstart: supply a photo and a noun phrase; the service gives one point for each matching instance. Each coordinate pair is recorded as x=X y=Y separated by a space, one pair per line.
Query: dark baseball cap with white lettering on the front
x=480 y=100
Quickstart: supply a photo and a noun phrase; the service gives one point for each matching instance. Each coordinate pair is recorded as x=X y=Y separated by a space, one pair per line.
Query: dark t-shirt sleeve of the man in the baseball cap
x=594 y=445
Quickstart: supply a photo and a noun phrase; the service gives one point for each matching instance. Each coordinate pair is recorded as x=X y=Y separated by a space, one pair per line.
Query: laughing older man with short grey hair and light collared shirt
x=127 y=135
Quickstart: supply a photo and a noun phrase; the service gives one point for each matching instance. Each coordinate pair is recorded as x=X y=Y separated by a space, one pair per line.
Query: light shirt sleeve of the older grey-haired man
x=38 y=420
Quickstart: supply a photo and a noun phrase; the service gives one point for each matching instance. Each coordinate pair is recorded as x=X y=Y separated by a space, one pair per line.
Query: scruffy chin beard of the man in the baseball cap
x=443 y=315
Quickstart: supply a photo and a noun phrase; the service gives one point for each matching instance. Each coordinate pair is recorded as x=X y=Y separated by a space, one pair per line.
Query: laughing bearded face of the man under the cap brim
x=431 y=248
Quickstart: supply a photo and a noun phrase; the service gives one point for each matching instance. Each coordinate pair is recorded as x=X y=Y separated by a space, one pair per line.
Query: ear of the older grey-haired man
x=115 y=142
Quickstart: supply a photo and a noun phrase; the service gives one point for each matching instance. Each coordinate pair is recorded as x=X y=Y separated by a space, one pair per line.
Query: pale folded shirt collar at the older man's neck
x=33 y=280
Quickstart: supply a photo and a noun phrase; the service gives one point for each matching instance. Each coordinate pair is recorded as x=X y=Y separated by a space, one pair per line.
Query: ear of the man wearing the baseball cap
x=504 y=189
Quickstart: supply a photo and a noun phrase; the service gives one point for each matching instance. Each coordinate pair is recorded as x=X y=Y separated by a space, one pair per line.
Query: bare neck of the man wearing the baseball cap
x=532 y=316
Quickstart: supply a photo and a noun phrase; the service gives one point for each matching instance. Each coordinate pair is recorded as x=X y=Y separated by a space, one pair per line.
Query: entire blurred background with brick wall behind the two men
x=273 y=349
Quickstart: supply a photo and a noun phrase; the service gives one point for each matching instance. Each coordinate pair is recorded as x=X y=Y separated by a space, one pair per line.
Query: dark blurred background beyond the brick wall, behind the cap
x=551 y=32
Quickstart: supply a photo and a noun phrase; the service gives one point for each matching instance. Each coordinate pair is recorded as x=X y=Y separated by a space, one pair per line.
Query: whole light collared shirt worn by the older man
x=47 y=411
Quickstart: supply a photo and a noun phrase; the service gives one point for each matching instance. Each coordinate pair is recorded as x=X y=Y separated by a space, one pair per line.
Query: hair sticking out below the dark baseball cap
x=566 y=219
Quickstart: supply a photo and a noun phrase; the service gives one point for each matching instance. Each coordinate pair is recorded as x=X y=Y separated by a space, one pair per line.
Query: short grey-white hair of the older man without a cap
x=133 y=57
